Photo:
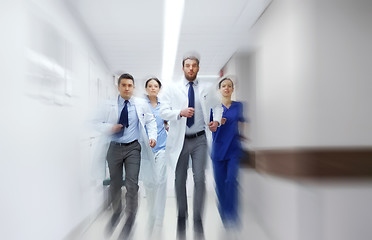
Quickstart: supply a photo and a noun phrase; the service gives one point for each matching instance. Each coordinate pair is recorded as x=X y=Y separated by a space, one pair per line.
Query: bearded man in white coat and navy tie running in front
x=187 y=107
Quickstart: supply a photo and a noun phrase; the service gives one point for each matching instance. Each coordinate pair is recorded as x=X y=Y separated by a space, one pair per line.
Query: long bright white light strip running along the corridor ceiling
x=172 y=25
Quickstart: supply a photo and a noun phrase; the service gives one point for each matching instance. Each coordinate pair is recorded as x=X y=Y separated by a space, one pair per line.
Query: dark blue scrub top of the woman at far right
x=226 y=140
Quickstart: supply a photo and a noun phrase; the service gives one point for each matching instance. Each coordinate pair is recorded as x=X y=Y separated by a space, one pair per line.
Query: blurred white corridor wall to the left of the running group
x=51 y=76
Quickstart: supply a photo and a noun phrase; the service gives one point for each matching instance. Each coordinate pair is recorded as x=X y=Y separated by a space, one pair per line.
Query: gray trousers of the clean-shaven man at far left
x=130 y=156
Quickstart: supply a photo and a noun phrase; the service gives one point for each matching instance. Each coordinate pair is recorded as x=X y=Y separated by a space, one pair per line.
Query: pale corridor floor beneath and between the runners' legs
x=212 y=224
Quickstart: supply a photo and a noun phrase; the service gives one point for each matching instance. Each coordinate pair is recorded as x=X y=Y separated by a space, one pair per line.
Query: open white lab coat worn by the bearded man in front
x=173 y=99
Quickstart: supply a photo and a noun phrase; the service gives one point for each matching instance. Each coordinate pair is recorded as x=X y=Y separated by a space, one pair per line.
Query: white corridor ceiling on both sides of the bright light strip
x=129 y=34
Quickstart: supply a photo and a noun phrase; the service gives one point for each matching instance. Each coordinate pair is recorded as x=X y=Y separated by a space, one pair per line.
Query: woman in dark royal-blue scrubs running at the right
x=226 y=152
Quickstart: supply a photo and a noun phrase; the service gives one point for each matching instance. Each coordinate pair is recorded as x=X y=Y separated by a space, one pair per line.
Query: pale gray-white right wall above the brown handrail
x=312 y=74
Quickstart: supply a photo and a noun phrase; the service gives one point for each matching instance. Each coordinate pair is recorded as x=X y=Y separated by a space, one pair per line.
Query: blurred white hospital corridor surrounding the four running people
x=302 y=68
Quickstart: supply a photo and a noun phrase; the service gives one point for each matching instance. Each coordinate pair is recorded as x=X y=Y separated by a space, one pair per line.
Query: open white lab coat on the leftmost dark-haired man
x=107 y=116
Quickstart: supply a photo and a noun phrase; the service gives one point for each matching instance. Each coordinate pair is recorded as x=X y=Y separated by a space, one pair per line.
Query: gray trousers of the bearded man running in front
x=197 y=149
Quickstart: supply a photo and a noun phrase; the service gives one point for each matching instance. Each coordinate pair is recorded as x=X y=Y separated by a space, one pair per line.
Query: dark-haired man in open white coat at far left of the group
x=124 y=121
